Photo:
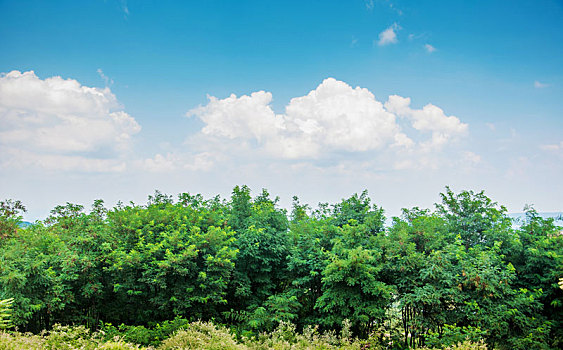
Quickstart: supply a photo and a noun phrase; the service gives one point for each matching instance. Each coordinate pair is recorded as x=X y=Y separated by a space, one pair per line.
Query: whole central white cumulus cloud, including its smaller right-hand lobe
x=330 y=119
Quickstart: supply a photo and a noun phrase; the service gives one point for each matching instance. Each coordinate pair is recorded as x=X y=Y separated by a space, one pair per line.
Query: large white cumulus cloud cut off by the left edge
x=56 y=118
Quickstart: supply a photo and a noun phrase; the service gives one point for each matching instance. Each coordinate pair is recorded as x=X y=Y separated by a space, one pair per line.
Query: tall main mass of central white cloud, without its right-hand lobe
x=333 y=117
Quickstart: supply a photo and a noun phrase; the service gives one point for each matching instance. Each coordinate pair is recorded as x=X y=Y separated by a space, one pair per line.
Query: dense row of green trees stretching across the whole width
x=432 y=278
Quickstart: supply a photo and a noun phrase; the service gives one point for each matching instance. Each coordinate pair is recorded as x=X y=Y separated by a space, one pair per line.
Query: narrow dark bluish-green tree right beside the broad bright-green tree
x=261 y=241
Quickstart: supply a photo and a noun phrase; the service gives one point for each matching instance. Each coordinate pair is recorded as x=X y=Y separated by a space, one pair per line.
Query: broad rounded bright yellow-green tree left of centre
x=174 y=259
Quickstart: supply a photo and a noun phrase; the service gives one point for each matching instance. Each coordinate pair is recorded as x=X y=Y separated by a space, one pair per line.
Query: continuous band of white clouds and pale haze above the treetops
x=334 y=140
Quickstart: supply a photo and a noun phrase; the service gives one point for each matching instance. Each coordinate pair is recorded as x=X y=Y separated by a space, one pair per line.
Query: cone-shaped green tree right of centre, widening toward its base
x=352 y=282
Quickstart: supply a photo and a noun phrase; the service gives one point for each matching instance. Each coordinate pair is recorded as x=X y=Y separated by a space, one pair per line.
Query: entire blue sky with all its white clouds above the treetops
x=115 y=99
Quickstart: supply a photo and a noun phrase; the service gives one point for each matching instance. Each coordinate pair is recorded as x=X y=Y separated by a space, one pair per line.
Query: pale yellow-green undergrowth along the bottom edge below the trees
x=200 y=335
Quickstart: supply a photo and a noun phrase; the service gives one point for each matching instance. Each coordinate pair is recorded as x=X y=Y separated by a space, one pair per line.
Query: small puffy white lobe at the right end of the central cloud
x=428 y=119
